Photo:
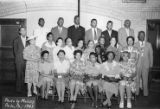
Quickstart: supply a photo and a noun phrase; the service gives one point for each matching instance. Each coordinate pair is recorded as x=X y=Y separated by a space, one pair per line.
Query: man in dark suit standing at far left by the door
x=18 y=46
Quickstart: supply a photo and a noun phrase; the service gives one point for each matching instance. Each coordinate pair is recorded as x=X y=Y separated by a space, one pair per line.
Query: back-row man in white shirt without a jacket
x=40 y=33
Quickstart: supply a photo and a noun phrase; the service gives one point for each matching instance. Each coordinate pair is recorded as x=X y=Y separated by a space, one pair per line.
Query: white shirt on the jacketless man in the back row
x=41 y=33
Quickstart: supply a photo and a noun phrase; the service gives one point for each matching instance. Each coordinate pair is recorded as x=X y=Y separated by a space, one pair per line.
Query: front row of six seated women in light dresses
x=93 y=76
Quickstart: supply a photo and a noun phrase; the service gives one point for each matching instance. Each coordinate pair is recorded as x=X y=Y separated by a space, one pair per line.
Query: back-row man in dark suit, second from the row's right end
x=108 y=33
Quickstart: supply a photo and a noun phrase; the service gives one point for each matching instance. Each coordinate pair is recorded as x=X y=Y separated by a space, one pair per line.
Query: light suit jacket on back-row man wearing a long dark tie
x=89 y=35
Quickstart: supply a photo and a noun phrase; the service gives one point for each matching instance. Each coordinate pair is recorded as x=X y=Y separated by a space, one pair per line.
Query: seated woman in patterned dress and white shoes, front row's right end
x=127 y=83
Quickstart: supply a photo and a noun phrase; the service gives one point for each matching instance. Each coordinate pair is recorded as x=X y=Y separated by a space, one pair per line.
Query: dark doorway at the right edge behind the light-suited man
x=153 y=36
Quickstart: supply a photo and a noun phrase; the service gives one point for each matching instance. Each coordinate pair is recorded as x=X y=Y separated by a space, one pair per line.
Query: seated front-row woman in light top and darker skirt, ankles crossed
x=110 y=74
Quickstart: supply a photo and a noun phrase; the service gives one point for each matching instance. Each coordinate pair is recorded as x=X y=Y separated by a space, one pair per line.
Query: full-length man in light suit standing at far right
x=145 y=62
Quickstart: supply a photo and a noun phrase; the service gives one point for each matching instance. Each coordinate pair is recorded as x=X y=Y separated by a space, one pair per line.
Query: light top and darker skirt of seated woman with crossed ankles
x=110 y=70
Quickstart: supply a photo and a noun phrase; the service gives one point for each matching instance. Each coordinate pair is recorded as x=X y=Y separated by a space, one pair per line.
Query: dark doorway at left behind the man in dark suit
x=8 y=32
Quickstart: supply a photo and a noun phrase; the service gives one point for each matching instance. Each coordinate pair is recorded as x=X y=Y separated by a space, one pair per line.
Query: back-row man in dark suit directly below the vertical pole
x=76 y=32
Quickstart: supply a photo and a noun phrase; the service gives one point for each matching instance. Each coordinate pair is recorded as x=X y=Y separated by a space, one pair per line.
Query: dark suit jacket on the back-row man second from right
x=107 y=37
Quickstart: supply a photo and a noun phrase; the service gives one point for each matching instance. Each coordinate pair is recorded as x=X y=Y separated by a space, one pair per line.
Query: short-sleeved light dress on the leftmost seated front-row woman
x=46 y=68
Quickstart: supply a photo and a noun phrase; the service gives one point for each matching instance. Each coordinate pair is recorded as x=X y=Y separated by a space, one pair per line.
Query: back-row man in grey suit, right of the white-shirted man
x=59 y=30
